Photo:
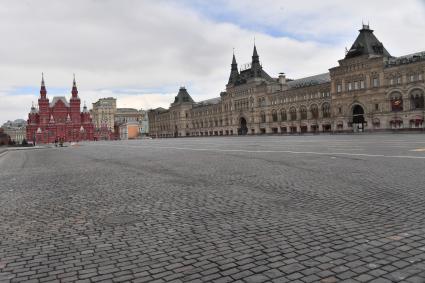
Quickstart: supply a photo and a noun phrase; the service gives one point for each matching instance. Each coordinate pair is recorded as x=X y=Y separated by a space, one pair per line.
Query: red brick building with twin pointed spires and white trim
x=59 y=119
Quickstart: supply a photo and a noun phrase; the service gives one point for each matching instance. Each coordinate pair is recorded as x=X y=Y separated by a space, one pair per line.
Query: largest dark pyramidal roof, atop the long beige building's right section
x=366 y=43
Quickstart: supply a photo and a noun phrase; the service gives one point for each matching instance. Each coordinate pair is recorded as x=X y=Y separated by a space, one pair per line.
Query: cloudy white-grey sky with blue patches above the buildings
x=142 y=51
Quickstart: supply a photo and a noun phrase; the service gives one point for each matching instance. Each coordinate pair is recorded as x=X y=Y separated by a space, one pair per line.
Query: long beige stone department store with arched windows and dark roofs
x=370 y=90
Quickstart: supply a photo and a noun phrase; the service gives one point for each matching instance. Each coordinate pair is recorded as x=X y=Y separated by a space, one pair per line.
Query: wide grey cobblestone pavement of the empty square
x=244 y=209
